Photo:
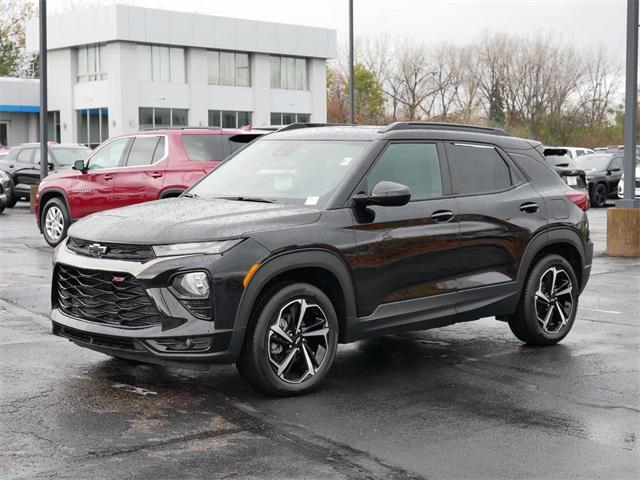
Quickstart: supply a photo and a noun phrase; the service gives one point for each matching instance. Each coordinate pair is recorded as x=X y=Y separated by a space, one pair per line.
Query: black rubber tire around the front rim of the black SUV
x=257 y=367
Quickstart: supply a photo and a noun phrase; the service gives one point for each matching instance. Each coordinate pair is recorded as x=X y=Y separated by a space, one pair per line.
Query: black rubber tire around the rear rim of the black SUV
x=526 y=325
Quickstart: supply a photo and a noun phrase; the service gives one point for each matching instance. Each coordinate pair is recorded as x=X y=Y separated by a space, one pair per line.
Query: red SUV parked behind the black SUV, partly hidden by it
x=130 y=169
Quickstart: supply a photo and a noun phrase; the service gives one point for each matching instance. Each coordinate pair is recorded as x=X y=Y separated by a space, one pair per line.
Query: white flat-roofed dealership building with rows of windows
x=117 y=69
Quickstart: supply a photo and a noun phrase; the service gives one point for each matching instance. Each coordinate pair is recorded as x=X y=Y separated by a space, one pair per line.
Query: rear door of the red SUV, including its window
x=141 y=176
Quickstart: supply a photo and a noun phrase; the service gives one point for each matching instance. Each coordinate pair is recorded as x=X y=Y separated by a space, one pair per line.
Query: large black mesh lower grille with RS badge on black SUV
x=109 y=298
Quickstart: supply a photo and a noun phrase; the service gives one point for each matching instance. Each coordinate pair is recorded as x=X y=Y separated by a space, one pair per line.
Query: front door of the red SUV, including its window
x=93 y=191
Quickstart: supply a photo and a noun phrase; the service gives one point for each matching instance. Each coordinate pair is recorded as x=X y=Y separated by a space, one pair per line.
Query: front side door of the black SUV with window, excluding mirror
x=407 y=256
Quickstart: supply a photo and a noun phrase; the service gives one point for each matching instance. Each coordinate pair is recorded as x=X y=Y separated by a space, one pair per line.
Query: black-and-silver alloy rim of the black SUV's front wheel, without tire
x=298 y=341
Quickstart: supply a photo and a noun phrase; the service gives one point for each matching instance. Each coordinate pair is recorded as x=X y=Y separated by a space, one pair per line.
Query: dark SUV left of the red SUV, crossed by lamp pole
x=23 y=164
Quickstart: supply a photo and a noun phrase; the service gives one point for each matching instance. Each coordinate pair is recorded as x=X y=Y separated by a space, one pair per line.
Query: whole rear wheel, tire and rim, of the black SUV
x=549 y=303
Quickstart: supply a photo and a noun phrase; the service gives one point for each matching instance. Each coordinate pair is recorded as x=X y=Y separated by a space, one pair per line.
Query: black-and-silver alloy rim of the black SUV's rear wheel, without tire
x=554 y=300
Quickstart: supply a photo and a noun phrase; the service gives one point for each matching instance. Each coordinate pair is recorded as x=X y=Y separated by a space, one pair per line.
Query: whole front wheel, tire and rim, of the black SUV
x=292 y=340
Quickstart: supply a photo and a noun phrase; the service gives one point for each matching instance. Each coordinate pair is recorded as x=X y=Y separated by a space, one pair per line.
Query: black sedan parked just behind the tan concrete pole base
x=603 y=172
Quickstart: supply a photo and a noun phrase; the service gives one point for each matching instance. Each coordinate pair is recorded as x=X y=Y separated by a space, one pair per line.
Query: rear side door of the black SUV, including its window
x=499 y=214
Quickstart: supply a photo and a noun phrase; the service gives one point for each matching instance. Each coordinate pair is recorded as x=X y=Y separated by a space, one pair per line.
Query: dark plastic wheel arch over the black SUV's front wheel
x=321 y=268
